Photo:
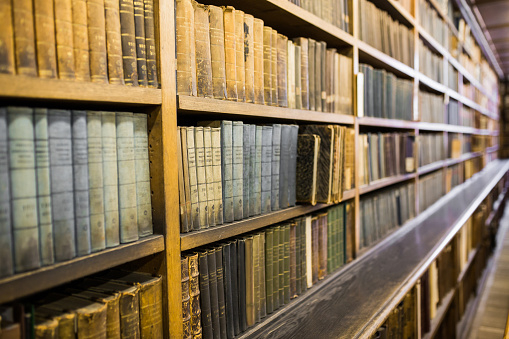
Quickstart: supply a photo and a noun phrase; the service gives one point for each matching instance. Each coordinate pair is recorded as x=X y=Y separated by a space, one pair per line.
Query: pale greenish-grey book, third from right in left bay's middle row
x=110 y=177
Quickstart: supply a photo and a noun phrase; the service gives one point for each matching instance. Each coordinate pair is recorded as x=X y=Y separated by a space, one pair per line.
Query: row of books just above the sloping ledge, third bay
x=383 y=211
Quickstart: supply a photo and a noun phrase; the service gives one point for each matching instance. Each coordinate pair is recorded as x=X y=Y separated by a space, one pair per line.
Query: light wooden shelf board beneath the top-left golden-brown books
x=22 y=87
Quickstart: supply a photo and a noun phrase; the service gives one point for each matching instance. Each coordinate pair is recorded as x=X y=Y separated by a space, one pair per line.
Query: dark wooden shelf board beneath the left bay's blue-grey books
x=24 y=284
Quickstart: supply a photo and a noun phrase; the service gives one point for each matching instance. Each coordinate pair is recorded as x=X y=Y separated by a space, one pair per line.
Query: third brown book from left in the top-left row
x=45 y=38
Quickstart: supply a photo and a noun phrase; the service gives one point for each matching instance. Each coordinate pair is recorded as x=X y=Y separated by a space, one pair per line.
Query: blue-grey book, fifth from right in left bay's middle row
x=81 y=187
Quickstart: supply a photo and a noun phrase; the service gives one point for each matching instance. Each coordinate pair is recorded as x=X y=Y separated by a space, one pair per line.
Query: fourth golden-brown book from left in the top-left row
x=64 y=39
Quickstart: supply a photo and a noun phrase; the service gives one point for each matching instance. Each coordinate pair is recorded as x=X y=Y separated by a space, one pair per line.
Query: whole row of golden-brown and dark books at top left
x=100 y=41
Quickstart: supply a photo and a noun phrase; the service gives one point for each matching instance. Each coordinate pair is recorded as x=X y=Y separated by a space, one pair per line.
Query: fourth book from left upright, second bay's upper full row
x=230 y=53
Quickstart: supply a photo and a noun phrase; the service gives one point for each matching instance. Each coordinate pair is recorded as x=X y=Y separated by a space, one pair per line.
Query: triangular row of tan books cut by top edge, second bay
x=336 y=12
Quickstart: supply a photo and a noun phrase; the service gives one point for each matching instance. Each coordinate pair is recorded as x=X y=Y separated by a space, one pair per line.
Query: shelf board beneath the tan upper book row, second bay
x=196 y=105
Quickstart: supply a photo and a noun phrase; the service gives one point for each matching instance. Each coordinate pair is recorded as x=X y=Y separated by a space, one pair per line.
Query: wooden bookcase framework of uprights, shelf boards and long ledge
x=161 y=252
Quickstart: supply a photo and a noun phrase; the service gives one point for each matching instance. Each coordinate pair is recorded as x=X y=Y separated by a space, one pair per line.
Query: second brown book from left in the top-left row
x=24 y=41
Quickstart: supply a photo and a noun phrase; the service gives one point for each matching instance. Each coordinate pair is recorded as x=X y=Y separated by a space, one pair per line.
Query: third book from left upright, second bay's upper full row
x=217 y=50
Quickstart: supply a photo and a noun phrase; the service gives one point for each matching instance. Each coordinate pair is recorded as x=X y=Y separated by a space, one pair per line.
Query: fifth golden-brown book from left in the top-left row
x=80 y=40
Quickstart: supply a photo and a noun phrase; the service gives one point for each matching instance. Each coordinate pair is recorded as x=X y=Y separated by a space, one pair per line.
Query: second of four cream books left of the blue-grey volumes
x=201 y=178
